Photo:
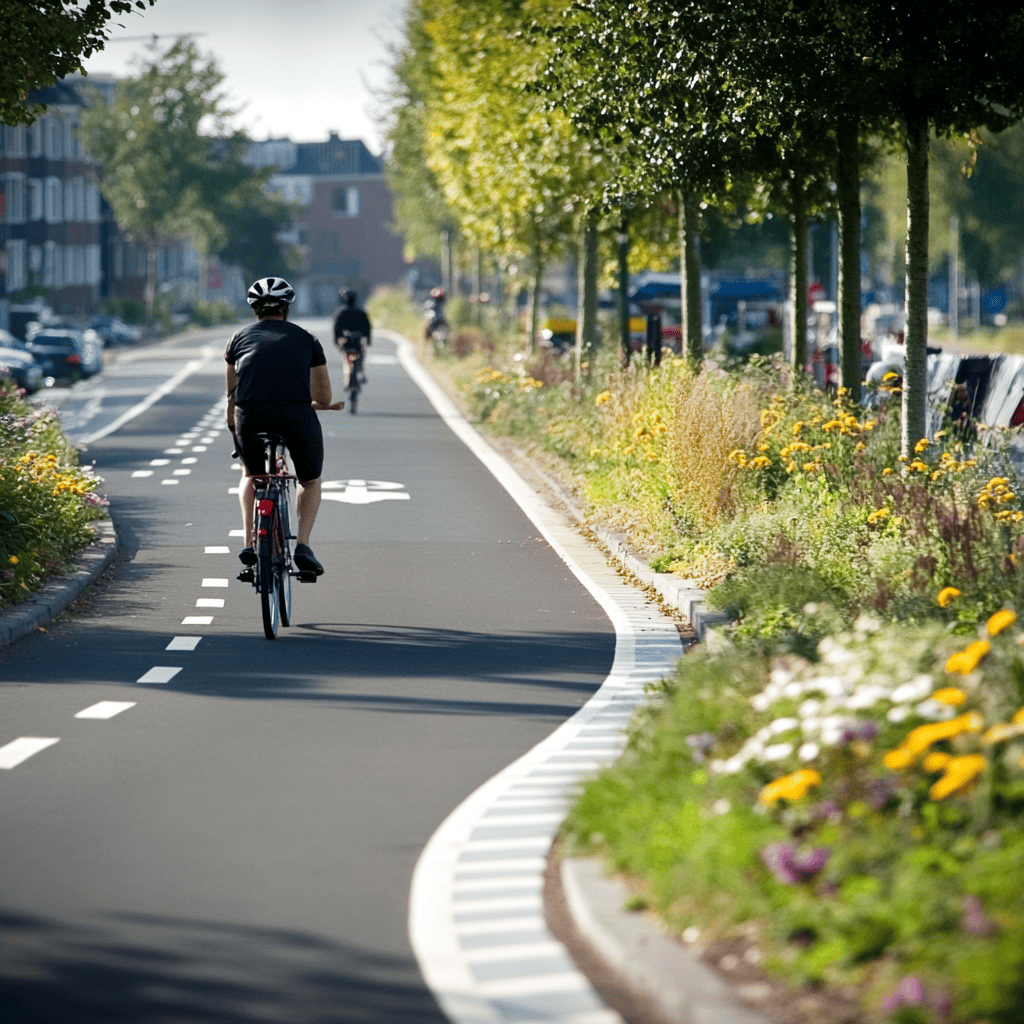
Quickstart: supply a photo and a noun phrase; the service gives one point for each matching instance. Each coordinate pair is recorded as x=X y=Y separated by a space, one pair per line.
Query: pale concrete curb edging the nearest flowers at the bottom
x=684 y=990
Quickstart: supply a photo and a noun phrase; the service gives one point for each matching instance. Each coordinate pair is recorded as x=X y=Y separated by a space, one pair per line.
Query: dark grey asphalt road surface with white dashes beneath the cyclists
x=229 y=836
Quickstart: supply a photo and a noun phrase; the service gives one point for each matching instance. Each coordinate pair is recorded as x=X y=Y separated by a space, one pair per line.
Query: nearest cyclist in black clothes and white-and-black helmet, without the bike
x=277 y=377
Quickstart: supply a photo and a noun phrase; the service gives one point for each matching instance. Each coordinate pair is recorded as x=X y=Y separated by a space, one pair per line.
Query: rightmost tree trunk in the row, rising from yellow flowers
x=915 y=356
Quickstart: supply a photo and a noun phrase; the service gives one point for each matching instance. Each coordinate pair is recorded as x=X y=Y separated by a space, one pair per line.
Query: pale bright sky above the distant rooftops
x=295 y=68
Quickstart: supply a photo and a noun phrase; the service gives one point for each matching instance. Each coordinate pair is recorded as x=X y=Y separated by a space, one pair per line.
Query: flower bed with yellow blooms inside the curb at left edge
x=48 y=500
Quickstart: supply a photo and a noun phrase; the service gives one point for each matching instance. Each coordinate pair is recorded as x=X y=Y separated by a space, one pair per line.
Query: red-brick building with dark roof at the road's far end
x=345 y=216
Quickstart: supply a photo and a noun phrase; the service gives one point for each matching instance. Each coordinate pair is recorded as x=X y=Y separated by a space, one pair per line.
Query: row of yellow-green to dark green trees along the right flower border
x=528 y=122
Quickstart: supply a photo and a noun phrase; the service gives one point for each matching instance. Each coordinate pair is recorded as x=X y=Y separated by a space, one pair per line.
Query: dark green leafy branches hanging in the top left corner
x=45 y=40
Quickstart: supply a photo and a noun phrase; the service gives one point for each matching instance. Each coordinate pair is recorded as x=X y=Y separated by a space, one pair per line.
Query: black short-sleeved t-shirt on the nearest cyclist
x=273 y=360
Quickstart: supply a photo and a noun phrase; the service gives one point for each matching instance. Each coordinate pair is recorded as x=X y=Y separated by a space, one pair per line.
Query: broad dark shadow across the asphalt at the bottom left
x=134 y=969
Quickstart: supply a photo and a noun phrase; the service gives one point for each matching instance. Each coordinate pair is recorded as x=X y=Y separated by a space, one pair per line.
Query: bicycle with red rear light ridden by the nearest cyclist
x=272 y=576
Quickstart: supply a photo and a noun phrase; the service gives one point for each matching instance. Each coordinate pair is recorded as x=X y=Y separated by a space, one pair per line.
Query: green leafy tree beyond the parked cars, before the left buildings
x=165 y=179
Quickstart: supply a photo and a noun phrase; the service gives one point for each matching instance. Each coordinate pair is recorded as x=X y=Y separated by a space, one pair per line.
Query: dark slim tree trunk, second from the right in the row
x=848 y=196
